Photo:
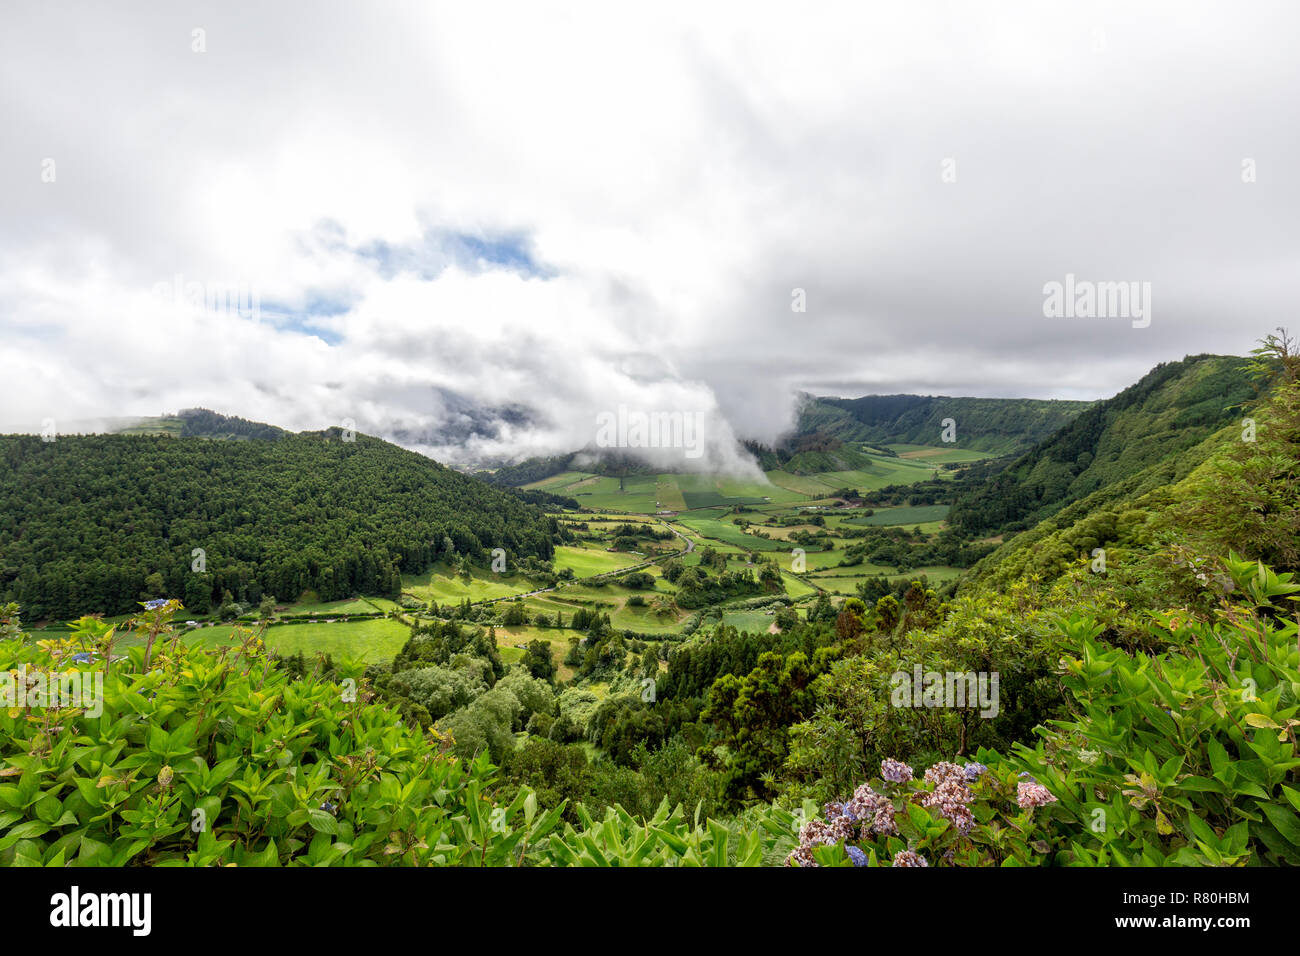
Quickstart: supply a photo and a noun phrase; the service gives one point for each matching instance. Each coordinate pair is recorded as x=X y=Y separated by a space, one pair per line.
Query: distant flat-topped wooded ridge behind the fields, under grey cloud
x=998 y=426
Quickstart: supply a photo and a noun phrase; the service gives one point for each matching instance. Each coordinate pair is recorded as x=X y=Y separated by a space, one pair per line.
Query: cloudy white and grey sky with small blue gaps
x=500 y=220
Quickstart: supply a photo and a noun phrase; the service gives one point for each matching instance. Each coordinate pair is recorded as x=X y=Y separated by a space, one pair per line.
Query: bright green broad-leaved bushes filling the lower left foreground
x=206 y=759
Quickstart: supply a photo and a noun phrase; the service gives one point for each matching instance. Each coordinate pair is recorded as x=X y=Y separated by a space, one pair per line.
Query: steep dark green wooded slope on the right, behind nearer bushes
x=1150 y=425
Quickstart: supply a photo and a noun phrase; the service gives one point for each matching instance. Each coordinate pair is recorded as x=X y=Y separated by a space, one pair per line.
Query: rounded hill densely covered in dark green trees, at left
x=97 y=524
